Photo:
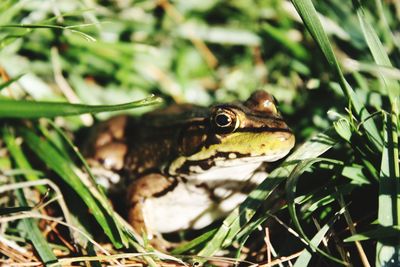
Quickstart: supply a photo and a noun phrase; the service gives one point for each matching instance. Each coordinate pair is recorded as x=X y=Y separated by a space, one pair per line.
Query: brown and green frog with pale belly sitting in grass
x=186 y=166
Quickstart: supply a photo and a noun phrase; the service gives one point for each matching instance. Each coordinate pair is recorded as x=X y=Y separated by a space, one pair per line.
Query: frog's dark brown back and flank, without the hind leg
x=154 y=138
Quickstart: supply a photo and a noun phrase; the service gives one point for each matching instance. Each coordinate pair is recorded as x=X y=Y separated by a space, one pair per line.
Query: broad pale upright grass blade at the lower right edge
x=388 y=250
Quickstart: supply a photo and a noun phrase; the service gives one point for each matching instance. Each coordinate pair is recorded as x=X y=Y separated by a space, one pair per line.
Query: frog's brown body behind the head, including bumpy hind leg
x=137 y=145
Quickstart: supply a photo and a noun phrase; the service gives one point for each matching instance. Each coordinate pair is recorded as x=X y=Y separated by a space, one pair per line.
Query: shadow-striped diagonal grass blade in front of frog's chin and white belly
x=235 y=221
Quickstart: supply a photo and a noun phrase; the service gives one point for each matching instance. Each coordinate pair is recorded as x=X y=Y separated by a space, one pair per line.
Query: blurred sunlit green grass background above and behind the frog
x=187 y=51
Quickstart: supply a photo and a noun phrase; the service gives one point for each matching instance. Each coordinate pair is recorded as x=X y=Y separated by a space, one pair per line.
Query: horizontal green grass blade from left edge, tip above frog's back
x=41 y=109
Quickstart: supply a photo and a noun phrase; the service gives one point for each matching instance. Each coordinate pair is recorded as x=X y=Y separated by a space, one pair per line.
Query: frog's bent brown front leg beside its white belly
x=146 y=187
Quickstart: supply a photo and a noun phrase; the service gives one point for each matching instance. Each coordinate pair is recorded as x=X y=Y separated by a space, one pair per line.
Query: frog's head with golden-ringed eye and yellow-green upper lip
x=234 y=134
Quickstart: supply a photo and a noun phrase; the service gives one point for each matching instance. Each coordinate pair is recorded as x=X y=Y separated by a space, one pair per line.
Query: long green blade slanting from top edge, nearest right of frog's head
x=307 y=11
